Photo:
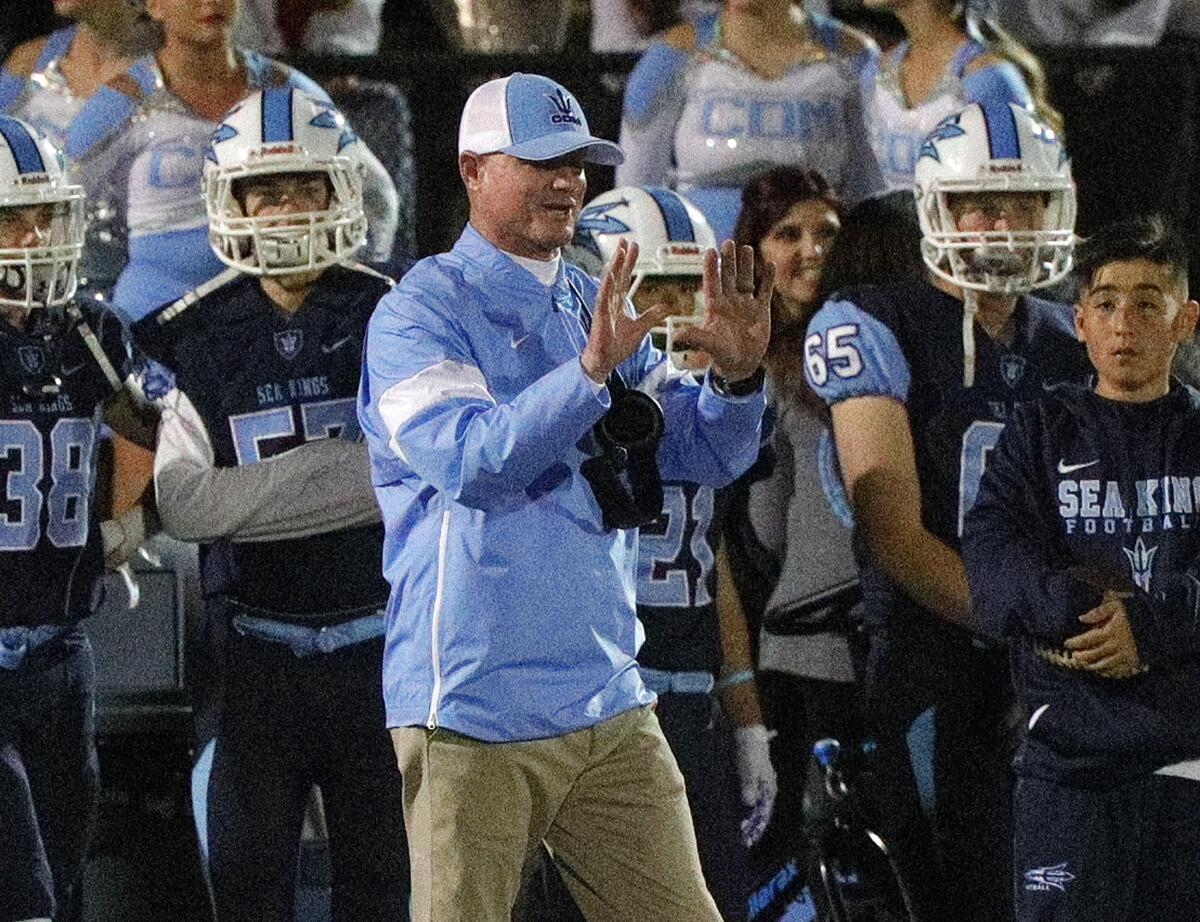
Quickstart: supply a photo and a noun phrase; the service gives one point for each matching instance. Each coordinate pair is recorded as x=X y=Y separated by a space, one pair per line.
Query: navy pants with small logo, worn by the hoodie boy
x=1124 y=855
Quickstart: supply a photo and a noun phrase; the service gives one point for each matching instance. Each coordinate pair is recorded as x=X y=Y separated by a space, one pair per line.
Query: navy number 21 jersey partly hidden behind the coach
x=677 y=582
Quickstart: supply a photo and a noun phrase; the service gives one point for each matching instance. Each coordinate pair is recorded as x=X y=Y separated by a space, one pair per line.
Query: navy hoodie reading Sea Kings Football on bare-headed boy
x=1083 y=493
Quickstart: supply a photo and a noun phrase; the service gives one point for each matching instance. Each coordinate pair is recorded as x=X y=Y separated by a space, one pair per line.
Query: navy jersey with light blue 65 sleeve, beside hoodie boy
x=905 y=342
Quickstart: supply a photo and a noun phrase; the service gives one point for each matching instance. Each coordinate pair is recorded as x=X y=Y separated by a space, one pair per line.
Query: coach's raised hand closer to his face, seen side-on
x=615 y=334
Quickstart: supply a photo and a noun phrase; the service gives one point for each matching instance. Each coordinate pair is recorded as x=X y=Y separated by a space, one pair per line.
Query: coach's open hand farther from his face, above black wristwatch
x=737 y=319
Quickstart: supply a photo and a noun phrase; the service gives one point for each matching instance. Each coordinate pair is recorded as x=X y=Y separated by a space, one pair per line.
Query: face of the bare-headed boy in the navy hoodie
x=1132 y=316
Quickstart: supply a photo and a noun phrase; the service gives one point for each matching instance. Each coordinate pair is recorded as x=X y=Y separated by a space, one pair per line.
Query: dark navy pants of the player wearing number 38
x=49 y=779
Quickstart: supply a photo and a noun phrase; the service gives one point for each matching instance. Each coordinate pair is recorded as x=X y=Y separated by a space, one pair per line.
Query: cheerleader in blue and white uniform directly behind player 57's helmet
x=140 y=146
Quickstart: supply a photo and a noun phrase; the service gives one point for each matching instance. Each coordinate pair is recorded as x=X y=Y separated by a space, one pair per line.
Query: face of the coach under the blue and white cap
x=525 y=207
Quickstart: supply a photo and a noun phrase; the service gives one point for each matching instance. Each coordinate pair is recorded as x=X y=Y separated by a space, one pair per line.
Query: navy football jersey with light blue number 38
x=51 y=552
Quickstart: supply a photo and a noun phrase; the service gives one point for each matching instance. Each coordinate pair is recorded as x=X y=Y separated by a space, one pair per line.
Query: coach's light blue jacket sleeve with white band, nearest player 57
x=425 y=403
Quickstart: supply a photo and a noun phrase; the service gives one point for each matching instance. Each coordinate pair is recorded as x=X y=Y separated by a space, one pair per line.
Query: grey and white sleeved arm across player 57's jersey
x=317 y=488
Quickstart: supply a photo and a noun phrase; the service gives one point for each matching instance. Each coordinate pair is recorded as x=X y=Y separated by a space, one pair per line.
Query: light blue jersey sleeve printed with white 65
x=853 y=354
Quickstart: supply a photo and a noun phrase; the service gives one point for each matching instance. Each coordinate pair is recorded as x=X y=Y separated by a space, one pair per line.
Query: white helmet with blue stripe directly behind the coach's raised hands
x=671 y=235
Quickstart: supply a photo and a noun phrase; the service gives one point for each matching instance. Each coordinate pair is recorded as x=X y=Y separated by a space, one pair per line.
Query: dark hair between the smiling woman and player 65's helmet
x=879 y=243
